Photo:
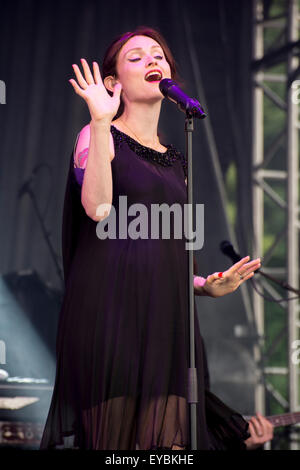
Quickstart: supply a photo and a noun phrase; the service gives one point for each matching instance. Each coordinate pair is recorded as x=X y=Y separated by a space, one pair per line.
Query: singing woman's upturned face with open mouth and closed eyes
x=137 y=57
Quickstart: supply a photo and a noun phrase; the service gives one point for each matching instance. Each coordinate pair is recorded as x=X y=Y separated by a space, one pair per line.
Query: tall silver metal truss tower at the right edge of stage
x=275 y=177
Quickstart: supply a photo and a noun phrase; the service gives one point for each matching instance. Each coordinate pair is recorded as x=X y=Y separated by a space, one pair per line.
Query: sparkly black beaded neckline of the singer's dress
x=166 y=158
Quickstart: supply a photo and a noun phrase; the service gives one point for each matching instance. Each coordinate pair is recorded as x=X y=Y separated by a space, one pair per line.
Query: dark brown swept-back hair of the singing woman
x=109 y=65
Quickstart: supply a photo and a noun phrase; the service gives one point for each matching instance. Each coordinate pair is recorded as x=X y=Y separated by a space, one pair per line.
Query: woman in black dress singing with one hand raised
x=122 y=344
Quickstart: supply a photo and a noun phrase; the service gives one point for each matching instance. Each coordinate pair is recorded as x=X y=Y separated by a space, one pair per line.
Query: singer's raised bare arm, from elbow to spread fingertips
x=97 y=182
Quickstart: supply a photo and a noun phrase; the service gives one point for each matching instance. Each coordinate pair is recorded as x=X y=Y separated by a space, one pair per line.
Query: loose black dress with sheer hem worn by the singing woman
x=122 y=341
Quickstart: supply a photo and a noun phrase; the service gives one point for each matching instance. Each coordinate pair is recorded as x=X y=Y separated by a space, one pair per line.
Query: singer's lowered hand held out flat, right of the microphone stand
x=217 y=286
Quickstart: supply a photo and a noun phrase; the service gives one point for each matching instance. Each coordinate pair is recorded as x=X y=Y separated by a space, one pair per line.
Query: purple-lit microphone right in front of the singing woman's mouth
x=188 y=105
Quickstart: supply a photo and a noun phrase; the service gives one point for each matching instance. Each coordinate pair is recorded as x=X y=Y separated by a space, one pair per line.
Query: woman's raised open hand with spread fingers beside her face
x=102 y=106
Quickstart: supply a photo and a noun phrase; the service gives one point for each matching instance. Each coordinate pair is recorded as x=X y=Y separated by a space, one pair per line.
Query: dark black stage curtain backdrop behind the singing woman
x=42 y=115
